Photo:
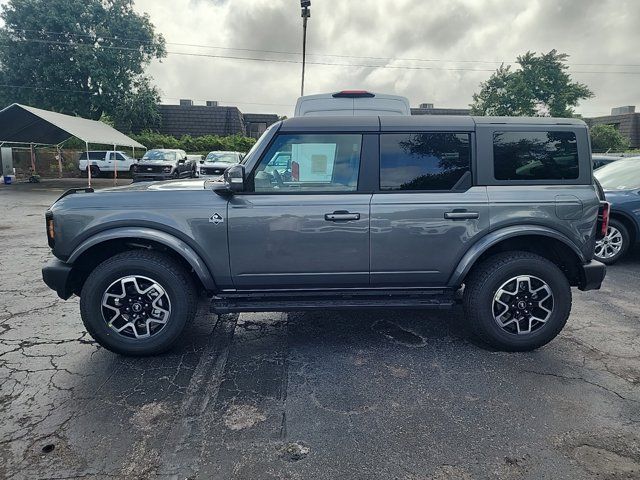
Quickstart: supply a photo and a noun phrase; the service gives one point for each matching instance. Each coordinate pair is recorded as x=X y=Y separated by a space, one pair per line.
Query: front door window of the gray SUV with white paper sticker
x=306 y=162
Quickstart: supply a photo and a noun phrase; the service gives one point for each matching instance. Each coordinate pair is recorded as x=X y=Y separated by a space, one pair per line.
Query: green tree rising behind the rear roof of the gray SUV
x=540 y=87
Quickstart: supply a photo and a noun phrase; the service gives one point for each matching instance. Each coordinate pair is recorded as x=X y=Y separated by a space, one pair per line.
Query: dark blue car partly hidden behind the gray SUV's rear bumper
x=621 y=183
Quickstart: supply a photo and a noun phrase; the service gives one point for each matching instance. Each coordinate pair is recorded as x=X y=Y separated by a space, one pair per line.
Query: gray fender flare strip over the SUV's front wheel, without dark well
x=166 y=239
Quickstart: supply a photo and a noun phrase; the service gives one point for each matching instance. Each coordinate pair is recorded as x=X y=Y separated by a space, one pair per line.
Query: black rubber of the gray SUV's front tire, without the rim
x=91 y=307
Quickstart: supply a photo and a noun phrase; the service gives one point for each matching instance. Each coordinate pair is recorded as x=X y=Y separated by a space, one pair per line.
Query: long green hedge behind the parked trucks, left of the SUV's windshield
x=188 y=143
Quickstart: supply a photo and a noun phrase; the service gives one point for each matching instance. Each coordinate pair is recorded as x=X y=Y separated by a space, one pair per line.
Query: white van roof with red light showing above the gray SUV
x=351 y=103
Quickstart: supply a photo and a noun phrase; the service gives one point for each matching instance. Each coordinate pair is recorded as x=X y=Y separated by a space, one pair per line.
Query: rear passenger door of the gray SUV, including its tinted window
x=426 y=211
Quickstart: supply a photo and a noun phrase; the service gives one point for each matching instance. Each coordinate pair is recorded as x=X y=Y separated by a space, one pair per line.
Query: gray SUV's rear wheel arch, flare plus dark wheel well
x=541 y=240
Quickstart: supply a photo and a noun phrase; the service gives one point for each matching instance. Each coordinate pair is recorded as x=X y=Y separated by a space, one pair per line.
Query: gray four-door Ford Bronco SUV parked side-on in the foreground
x=366 y=212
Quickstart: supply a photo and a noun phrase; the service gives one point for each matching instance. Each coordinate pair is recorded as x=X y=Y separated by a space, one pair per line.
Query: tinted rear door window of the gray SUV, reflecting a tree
x=423 y=161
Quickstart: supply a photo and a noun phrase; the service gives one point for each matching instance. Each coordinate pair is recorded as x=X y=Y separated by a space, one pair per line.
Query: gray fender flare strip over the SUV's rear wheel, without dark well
x=497 y=236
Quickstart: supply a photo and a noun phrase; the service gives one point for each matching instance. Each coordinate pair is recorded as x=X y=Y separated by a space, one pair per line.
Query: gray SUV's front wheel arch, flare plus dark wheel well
x=102 y=245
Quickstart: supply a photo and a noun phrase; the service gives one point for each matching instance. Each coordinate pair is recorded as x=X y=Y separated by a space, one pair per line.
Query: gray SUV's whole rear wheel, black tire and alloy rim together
x=487 y=279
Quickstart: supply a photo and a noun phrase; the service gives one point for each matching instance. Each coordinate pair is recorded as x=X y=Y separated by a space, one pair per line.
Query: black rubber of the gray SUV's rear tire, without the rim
x=560 y=289
